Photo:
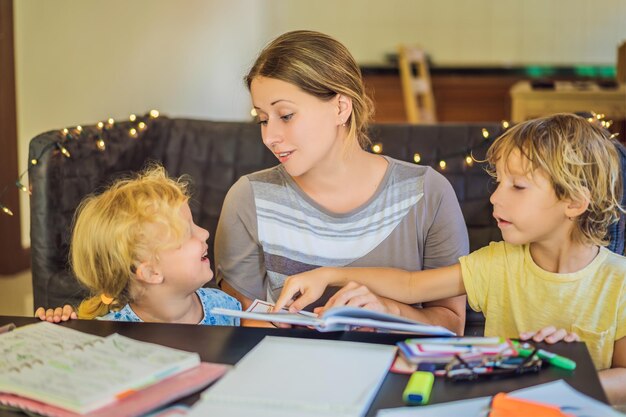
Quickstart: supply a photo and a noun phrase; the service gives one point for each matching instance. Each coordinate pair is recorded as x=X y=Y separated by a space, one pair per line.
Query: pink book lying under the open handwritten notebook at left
x=136 y=402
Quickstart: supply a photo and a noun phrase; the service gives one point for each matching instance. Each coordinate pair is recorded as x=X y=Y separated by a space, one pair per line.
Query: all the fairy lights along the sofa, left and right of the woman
x=139 y=125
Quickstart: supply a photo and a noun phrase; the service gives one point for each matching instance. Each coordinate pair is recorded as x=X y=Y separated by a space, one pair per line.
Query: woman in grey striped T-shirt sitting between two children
x=330 y=202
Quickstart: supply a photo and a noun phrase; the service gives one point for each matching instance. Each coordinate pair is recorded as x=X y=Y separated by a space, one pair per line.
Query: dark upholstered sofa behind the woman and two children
x=215 y=155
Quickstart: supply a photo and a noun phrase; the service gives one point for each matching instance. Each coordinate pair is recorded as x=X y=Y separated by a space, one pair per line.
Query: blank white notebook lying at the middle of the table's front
x=300 y=377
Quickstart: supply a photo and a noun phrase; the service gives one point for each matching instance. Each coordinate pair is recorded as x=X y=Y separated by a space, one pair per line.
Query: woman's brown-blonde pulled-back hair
x=320 y=66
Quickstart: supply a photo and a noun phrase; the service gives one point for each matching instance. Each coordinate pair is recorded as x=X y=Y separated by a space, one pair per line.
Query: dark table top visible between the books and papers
x=229 y=344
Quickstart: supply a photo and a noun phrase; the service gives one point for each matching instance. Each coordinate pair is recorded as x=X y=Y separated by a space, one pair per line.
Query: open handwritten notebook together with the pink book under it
x=57 y=371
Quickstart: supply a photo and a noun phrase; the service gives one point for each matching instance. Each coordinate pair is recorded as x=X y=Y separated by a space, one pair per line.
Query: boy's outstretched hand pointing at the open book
x=300 y=290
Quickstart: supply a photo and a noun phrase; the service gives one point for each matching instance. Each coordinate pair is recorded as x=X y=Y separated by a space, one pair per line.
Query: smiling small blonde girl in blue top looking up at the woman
x=136 y=248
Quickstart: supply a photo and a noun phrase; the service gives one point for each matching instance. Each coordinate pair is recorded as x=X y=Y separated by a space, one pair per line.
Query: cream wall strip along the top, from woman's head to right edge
x=466 y=31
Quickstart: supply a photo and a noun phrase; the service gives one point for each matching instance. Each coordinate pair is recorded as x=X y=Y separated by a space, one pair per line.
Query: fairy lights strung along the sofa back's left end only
x=138 y=125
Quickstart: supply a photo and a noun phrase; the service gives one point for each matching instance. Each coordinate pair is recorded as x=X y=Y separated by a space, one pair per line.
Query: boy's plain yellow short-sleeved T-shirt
x=516 y=295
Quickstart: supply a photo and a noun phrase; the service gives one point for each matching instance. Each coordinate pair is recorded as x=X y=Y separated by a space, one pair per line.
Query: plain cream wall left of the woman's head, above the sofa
x=81 y=61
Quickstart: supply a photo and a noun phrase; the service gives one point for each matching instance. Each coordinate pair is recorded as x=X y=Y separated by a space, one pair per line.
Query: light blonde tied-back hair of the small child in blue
x=131 y=222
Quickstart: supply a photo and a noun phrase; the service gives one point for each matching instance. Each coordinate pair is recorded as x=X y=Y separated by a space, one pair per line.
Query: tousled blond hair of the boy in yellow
x=581 y=162
